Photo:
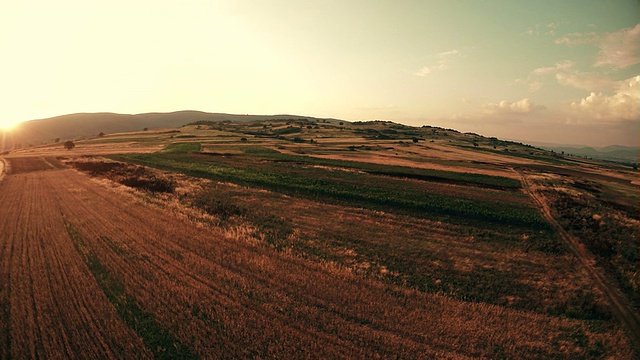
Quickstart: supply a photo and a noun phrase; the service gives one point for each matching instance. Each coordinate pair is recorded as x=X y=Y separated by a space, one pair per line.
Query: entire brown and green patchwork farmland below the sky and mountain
x=284 y=239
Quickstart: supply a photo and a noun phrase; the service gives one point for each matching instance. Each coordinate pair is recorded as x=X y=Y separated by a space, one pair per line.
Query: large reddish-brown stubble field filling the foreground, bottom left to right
x=193 y=291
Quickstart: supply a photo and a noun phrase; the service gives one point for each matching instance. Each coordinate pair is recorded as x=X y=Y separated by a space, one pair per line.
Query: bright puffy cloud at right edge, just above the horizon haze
x=623 y=105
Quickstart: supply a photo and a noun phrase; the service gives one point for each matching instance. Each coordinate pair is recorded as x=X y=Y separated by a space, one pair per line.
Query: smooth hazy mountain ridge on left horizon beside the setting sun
x=76 y=126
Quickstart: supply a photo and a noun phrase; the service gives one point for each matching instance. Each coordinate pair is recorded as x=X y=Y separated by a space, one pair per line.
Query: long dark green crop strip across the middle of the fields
x=367 y=190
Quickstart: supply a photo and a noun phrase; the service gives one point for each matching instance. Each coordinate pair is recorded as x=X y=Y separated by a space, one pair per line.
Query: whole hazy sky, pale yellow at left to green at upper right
x=539 y=71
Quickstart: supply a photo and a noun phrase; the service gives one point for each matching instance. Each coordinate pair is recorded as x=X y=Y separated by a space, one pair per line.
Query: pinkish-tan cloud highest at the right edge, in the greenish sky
x=618 y=49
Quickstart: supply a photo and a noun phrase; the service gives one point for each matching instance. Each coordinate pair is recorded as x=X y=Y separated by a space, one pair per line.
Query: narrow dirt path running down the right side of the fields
x=620 y=306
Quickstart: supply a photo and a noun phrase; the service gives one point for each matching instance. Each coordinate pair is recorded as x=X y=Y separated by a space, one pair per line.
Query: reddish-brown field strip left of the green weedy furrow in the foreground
x=51 y=306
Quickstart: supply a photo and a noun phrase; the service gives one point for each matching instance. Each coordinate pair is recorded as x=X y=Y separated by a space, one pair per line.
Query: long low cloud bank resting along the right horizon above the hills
x=596 y=120
